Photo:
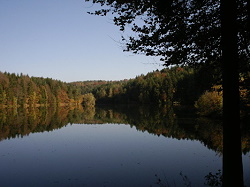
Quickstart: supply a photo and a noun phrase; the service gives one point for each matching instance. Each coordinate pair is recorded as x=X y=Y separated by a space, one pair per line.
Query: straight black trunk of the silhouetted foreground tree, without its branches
x=232 y=155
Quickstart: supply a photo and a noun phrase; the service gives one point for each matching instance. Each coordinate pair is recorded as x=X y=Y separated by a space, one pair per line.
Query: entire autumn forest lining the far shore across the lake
x=179 y=85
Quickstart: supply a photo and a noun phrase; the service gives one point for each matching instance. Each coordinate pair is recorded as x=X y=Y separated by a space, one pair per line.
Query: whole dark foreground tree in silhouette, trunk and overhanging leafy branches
x=194 y=32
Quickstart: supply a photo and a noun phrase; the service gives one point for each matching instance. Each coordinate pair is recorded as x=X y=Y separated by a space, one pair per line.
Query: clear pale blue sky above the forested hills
x=58 y=39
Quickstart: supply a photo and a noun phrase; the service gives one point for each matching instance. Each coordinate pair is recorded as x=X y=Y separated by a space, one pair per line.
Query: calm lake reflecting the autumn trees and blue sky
x=111 y=146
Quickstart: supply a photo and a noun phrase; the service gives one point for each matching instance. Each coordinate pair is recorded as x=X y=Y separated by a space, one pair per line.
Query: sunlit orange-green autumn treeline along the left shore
x=24 y=91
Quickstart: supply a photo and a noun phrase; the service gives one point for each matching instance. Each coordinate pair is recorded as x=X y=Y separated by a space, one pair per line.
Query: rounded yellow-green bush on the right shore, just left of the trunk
x=209 y=104
